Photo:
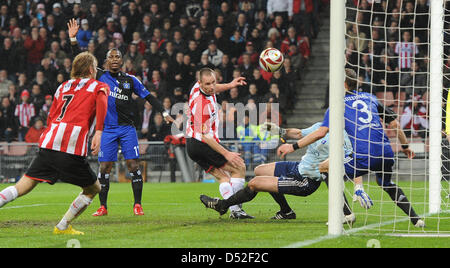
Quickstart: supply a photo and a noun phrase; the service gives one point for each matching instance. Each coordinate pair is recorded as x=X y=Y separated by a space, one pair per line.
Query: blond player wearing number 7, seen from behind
x=79 y=105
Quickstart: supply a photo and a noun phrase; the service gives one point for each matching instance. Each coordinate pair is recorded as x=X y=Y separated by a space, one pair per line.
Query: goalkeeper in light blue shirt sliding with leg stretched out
x=294 y=178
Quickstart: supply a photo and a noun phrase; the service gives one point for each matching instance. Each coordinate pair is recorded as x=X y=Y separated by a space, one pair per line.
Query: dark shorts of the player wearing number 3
x=381 y=166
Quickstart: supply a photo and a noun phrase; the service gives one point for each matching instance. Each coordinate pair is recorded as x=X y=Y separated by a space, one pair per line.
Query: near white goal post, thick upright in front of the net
x=336 y=87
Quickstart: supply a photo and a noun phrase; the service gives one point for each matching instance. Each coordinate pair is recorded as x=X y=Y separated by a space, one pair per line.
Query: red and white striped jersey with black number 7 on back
x=72 y=116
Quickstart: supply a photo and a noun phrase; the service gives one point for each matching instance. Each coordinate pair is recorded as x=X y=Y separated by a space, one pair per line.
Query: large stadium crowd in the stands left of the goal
x=163 y=43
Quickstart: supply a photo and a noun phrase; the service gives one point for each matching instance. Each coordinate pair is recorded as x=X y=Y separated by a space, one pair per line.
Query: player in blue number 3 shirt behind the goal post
x=365 y=118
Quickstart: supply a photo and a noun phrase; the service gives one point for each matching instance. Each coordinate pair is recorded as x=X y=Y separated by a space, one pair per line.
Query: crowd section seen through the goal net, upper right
x=387 y=45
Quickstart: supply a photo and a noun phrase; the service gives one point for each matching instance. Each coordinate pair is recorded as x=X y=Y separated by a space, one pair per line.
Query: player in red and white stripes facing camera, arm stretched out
x=202 y=139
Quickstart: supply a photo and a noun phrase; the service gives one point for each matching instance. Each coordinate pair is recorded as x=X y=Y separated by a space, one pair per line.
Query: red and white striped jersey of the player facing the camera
x=203 y=115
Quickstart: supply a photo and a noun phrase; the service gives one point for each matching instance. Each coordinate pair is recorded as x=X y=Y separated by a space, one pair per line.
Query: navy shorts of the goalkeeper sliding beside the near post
x=291 y=182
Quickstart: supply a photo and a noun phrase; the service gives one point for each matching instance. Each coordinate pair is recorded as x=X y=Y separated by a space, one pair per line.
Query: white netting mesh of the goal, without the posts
x=388 y=46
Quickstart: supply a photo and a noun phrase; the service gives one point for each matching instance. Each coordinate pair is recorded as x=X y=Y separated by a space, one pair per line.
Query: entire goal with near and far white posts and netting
x=400 y=51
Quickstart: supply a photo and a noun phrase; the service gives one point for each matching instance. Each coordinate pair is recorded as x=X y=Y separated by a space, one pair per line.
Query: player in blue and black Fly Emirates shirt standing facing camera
x=119 y=126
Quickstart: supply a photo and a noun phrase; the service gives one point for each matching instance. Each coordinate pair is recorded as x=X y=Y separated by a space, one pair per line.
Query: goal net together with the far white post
x=400 y=51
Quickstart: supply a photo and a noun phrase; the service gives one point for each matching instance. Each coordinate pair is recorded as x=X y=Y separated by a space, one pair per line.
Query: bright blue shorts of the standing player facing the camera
x=109 y=145
